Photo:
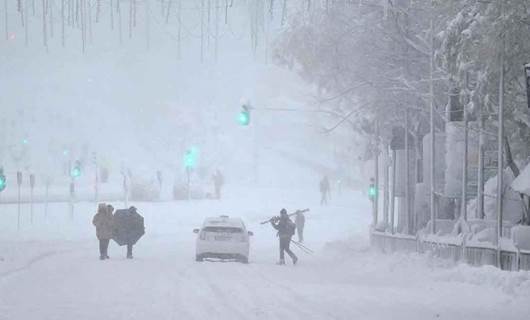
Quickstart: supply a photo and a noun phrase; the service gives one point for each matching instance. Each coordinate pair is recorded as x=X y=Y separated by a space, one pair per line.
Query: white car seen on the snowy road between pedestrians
x=223 y=238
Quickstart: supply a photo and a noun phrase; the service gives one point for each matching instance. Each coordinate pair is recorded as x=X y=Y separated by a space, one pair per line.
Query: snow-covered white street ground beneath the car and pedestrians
x=50 y=270
